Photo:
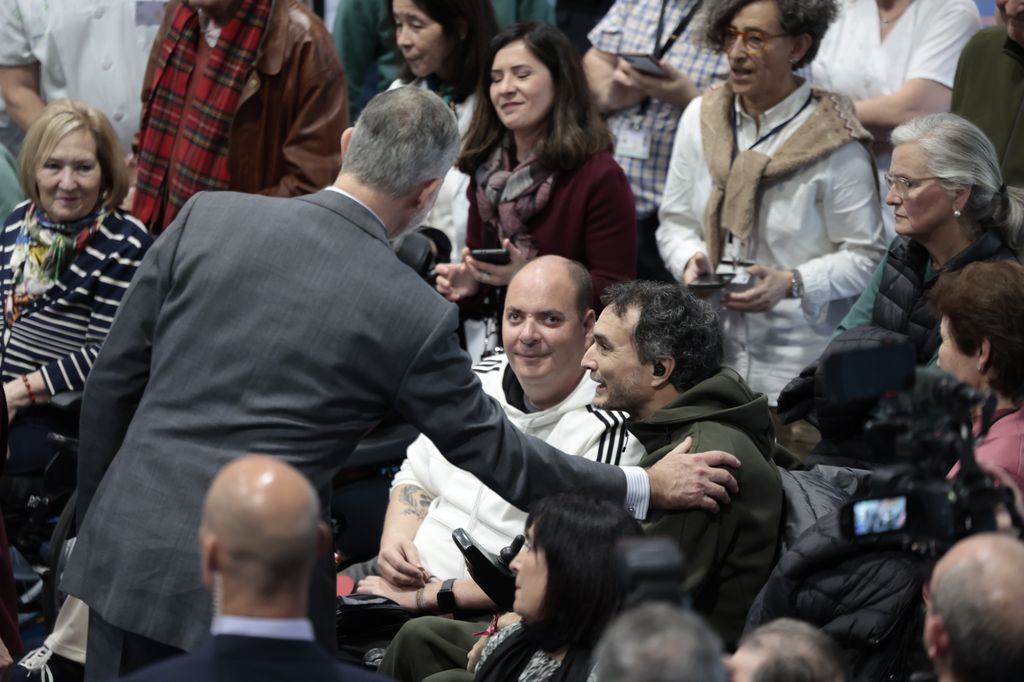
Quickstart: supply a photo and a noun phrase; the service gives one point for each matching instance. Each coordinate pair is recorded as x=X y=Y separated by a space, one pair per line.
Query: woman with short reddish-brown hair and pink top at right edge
x=983 y=326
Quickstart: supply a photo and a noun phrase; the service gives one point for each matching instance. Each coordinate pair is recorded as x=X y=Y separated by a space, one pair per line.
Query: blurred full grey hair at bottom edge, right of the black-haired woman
x=659 y=643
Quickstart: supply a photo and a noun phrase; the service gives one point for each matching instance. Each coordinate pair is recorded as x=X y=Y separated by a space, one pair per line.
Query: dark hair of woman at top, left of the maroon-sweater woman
x=479 y=26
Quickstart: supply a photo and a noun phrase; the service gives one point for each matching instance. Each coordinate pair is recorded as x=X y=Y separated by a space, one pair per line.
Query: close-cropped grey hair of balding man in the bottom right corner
x=982 y=612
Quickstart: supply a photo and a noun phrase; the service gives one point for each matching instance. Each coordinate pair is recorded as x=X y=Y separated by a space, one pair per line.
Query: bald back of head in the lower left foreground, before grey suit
x=262 y=527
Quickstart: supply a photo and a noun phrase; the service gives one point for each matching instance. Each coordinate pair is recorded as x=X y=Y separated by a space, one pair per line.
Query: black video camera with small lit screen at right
x=924 y=425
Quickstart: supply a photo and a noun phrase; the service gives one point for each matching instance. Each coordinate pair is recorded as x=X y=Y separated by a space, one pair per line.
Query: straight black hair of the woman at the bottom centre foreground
x=578 y=537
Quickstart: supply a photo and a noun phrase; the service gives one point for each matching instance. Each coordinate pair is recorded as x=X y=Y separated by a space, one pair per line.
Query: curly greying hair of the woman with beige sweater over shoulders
x=796 y=18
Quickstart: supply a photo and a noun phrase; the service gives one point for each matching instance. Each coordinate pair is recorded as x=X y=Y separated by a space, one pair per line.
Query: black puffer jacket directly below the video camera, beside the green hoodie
x=866 y=595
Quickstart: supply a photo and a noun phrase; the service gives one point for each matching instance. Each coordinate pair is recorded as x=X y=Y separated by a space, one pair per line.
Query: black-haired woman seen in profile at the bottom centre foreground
x=567 y=592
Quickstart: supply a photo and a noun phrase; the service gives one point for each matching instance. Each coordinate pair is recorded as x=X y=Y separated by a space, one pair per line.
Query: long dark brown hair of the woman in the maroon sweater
x=575 y=130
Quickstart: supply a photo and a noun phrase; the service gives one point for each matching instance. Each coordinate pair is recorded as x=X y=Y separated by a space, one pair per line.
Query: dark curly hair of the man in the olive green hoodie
x=671 y=323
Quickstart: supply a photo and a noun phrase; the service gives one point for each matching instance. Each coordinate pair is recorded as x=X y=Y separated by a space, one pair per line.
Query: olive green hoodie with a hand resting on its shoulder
x=730 y=553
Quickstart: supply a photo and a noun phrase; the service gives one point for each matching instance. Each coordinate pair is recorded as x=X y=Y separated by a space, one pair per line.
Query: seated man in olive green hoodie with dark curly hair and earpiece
x=658 y=356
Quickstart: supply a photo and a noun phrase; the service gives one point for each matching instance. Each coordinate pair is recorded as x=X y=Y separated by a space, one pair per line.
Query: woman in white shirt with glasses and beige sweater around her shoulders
x=772 y=181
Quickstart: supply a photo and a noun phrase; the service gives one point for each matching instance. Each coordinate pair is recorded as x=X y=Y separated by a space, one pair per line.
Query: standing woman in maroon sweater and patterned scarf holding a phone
x=544 y=181
